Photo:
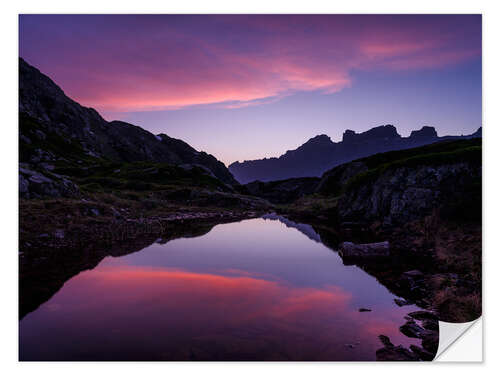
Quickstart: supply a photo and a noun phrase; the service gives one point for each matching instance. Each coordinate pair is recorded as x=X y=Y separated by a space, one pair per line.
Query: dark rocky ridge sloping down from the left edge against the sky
x=47 y=114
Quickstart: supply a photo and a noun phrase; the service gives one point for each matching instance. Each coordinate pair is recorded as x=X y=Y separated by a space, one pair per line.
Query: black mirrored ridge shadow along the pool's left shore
x=46 y=261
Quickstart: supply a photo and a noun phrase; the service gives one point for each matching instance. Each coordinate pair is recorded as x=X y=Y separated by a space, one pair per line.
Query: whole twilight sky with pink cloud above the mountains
x=243 y=87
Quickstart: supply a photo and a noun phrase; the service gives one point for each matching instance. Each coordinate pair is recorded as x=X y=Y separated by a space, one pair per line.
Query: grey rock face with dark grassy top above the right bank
x=401 y=186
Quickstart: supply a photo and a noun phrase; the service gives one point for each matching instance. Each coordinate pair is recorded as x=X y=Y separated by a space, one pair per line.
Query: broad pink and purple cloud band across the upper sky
x=238 y=61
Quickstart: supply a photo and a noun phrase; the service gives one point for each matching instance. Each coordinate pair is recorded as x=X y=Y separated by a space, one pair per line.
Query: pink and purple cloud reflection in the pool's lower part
x=179 y=314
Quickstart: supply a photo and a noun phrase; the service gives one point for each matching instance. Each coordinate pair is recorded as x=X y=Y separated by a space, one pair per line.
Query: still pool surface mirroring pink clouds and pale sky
x=253 y=290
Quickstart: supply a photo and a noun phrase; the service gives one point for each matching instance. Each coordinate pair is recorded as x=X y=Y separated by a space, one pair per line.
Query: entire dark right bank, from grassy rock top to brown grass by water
x=426 y=202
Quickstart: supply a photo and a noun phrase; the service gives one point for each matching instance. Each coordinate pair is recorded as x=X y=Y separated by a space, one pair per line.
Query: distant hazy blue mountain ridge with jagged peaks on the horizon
x=320 y=153
